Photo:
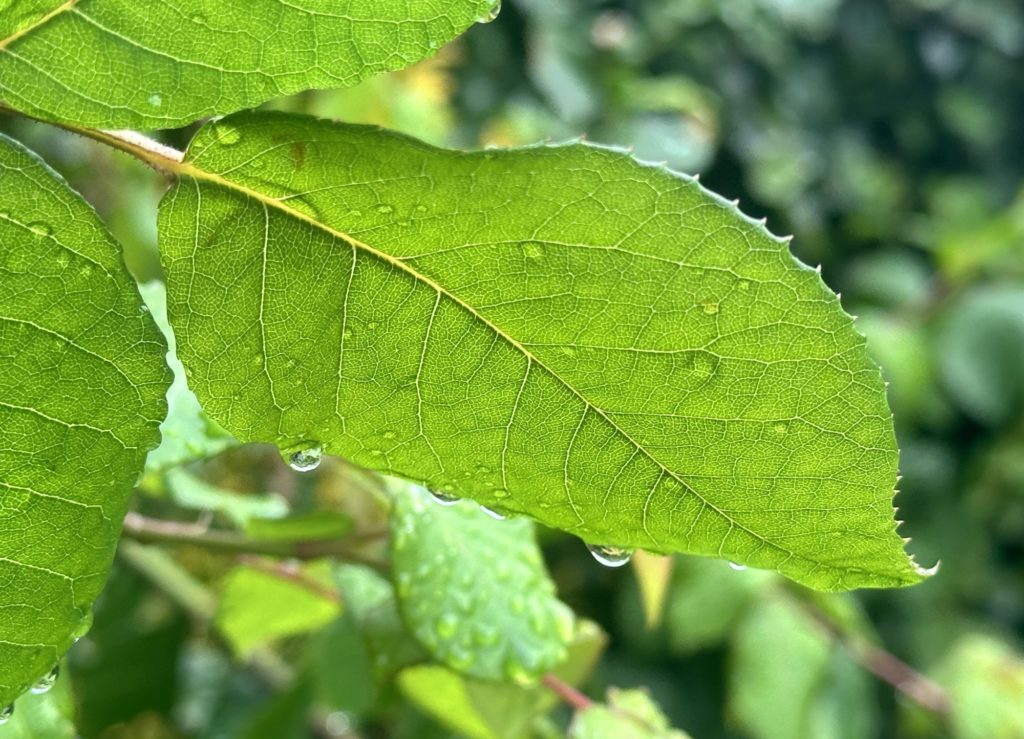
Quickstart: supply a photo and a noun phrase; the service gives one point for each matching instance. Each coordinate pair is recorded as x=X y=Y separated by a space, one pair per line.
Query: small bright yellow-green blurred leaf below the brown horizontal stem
x=258 y=607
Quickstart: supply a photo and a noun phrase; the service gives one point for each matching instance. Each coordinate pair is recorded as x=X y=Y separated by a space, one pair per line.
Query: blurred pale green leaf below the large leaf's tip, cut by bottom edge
x=785 y=683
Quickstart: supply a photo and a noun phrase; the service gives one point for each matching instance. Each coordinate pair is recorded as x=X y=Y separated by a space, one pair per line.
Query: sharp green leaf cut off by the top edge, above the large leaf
x=125 y=65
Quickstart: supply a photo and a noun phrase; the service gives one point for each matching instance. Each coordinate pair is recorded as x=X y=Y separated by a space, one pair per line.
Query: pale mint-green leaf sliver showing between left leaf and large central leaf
x=187 y=433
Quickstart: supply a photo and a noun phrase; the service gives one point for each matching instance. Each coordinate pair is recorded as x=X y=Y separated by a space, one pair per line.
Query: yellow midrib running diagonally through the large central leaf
x=189 y=169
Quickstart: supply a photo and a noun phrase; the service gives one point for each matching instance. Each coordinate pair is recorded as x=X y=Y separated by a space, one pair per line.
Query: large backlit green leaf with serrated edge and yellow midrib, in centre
x=561 y=332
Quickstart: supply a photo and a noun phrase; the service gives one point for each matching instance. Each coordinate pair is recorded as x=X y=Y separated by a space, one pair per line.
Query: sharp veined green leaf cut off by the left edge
x=82 y=383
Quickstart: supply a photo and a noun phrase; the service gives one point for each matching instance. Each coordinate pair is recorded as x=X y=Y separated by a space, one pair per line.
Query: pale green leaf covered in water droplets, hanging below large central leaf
x=475 y=591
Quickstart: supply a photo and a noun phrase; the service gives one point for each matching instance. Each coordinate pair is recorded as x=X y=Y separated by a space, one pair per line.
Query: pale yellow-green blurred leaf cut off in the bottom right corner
x=986 y=680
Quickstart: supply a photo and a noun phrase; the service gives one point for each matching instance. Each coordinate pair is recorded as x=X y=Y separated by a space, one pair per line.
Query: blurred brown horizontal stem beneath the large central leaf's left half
x=149 y=531
